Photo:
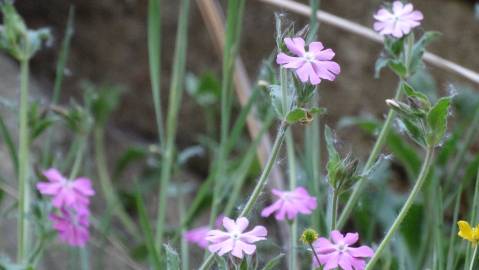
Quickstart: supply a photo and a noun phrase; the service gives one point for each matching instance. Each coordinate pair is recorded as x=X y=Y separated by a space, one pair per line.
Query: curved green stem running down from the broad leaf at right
x=407 y=205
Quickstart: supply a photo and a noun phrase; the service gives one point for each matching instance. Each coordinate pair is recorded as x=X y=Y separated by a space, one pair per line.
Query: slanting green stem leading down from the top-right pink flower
x=381 y=140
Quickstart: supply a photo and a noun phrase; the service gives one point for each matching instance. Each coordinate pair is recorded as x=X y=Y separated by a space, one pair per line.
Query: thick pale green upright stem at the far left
x=23 y=171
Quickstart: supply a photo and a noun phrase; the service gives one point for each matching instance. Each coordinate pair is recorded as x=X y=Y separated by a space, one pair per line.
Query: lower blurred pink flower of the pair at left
x=72 y=227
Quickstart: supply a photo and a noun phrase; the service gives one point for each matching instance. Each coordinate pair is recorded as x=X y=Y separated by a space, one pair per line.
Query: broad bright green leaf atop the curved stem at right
x=437 y=120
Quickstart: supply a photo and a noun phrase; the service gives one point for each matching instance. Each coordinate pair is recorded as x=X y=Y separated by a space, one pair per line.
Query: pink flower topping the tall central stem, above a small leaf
x=312 y=65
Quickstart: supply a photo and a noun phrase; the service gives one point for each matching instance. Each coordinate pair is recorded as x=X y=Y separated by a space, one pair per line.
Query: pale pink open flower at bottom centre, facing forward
x=235 y=240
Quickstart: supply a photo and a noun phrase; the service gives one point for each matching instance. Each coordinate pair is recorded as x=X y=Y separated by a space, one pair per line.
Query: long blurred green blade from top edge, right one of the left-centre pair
x=176 y=91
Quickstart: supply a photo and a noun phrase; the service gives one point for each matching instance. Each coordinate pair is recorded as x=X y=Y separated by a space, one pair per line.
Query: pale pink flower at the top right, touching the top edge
x=398 y=23
